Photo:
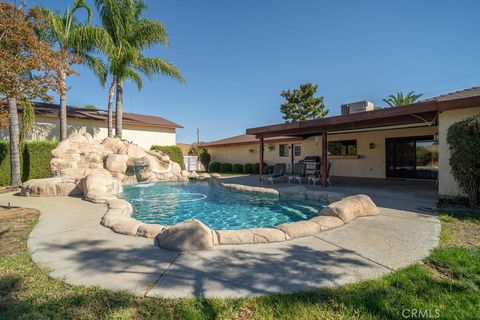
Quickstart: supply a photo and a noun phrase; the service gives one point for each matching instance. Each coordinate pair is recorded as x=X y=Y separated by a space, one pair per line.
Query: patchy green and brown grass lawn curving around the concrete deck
x=445 y=286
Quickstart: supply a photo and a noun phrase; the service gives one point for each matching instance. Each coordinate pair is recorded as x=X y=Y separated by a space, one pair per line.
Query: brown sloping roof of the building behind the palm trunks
x=52 y=110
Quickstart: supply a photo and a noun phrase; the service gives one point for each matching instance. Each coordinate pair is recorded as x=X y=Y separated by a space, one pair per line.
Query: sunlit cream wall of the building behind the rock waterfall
x=46 y=128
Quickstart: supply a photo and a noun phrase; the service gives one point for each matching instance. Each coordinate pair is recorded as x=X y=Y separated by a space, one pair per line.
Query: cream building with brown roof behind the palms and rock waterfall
x=141 y=129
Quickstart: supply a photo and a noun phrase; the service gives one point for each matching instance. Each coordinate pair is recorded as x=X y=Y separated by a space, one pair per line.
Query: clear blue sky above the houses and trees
x=237 y=56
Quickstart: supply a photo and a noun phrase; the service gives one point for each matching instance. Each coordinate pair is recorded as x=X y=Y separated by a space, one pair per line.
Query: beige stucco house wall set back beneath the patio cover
x=370 y=163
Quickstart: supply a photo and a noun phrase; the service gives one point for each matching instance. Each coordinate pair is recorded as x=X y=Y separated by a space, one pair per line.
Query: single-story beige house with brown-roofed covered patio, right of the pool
x=407 y=142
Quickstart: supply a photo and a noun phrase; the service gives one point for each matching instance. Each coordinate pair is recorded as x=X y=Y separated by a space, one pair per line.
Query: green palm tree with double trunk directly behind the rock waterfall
x=131 y=34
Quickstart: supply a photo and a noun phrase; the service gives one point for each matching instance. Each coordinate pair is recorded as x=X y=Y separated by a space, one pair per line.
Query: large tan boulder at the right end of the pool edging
x=351 y=207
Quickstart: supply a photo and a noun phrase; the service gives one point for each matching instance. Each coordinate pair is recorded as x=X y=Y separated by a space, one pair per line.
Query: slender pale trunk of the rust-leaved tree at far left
x=14 y=143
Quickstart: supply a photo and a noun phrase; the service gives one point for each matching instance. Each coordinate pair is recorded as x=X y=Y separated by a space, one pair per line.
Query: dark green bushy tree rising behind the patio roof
x=301 y=104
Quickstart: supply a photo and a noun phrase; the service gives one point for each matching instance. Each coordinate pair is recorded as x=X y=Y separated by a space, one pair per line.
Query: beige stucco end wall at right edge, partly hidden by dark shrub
x=447 y=184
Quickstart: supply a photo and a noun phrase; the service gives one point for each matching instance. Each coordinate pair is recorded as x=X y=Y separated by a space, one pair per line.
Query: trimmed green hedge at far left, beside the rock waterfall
x=34 y=161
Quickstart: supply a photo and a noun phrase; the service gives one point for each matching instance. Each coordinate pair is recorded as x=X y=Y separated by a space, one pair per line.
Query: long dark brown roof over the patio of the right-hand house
x=419 y=113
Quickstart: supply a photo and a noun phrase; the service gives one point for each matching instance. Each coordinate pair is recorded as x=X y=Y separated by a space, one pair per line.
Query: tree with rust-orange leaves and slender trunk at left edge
x=28 y=69
